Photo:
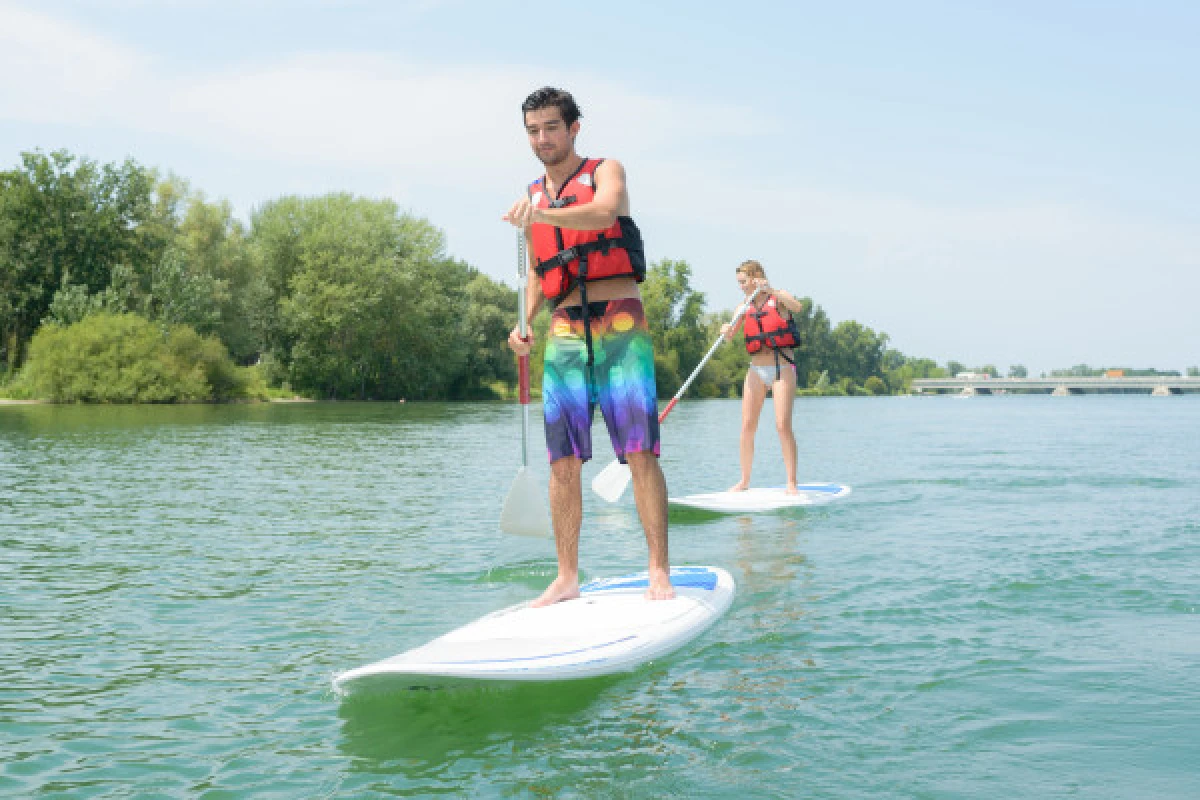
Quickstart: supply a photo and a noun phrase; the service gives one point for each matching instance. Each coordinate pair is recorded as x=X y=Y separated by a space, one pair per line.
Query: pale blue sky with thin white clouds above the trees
x=997 y=183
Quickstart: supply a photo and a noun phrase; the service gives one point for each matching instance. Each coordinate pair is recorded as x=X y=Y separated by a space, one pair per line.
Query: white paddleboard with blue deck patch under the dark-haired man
x=611 y=628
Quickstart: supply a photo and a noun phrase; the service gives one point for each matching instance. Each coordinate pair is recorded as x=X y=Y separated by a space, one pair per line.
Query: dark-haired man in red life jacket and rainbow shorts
x=587 y=261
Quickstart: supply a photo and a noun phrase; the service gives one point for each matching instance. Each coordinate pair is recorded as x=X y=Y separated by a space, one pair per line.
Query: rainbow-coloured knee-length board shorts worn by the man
x=625 y=381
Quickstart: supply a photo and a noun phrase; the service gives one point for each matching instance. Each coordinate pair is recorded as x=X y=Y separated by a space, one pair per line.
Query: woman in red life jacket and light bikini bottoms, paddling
x=771 y=335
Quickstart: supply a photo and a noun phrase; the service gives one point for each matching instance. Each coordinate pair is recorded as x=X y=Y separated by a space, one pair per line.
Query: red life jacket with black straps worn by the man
x=566 y=257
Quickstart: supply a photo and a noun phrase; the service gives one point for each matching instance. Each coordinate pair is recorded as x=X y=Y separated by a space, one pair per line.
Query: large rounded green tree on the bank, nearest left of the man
x=362 y=302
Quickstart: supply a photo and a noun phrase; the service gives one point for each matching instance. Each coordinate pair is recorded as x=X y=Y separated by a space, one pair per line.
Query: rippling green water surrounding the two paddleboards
x=1007 y=606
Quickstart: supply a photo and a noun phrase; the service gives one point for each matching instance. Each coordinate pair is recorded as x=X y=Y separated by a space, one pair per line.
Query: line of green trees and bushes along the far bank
x=119 y=285
